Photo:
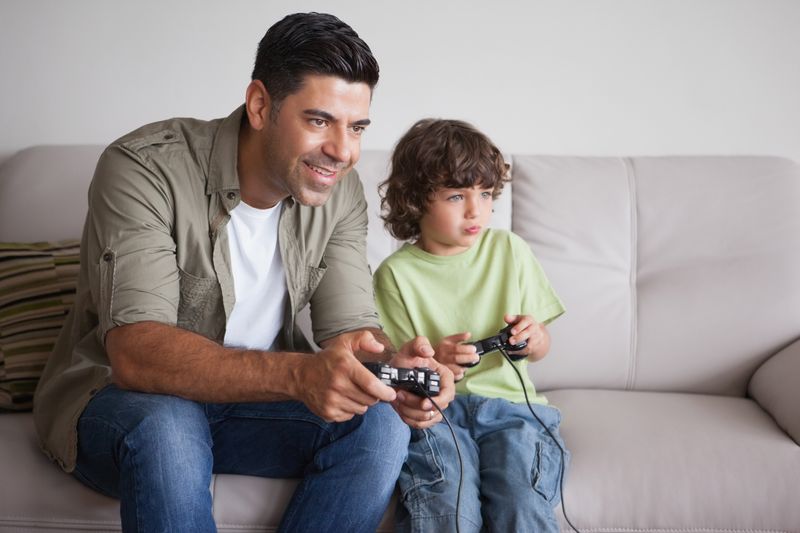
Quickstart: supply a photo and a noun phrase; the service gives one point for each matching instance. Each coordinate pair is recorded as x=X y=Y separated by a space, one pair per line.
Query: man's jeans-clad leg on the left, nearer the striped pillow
x=151 y=451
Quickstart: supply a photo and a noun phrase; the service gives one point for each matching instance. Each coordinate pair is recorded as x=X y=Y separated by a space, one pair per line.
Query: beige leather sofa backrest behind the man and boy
x=678 y=273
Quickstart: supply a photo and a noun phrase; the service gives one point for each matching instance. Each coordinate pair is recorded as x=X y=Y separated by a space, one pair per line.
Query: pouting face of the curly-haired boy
x=453 y=220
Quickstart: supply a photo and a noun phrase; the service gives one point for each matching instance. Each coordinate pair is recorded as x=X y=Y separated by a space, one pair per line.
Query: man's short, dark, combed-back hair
x=311 y=43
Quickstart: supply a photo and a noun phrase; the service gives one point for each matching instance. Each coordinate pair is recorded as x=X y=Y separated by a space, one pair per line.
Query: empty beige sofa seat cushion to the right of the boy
x=650 y=461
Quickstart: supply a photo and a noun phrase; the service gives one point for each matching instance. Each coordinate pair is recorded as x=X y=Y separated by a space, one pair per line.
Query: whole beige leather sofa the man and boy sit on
x=676 y=366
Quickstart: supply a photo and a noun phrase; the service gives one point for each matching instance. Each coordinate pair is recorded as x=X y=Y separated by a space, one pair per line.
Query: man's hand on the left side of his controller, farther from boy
x=334 y=384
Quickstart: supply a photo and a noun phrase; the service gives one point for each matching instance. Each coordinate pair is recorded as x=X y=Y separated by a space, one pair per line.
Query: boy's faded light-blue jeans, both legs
x=511 y=478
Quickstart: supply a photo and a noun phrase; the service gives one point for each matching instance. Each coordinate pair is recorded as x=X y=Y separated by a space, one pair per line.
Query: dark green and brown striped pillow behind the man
x=37 y=288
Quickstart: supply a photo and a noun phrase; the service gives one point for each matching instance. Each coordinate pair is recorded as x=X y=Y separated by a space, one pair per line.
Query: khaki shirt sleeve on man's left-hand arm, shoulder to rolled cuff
x=134 y=274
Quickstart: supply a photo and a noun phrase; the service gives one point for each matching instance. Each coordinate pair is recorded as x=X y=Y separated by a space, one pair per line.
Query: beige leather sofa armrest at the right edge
x=776 y=388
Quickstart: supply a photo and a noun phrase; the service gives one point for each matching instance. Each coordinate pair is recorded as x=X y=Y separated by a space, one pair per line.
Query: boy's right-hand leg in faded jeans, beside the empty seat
x=520 y=466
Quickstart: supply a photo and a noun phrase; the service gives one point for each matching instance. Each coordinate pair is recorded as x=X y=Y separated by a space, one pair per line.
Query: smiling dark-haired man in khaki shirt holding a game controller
x=203 y=240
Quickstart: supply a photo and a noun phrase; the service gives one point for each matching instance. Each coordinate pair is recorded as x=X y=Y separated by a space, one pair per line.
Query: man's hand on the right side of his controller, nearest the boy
x=419 y=412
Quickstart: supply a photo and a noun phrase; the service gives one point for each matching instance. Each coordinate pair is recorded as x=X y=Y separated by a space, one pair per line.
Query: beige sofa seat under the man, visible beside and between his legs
x=242 y=504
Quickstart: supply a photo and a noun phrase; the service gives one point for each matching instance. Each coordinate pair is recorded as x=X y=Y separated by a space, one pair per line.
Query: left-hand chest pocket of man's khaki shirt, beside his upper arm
x=200 y=308
